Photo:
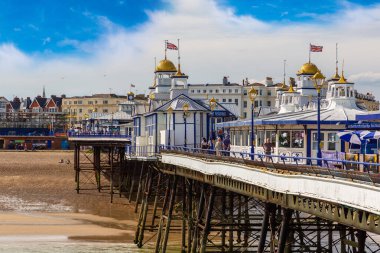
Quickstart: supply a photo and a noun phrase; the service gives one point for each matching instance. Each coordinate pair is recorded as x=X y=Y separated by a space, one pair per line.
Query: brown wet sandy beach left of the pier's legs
x=38 y=200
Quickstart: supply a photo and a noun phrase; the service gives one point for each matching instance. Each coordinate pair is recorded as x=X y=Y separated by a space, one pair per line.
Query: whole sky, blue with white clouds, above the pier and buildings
x=81 y=47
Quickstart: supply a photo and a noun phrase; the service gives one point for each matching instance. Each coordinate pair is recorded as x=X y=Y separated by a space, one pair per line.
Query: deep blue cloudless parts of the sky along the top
x=52 y=26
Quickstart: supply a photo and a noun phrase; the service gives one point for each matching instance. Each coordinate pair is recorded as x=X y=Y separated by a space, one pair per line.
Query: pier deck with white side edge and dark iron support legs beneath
x=233 y=204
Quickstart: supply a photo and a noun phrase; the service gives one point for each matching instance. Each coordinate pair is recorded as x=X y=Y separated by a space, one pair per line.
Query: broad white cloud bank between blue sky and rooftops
x=214 y=42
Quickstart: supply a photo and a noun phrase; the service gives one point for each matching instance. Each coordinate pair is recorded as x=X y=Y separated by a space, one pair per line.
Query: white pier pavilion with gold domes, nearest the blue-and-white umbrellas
x=293 y=131
